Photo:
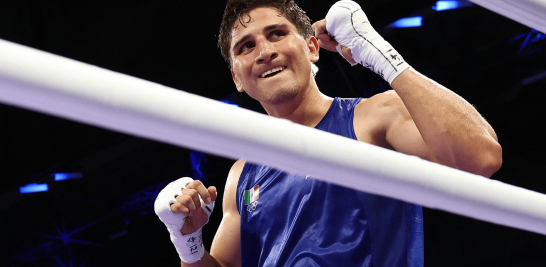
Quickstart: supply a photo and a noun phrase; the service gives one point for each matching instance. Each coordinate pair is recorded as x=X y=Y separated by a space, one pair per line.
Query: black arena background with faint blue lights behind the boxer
x=106 y=218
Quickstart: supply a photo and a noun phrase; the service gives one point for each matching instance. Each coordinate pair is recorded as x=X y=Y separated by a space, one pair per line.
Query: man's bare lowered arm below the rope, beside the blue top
x=226 y=247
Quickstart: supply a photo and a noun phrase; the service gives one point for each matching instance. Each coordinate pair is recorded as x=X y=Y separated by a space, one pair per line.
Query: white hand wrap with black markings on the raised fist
x=349 y=26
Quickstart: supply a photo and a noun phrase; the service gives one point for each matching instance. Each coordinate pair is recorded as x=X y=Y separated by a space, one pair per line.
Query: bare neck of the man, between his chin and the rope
x=307 y=108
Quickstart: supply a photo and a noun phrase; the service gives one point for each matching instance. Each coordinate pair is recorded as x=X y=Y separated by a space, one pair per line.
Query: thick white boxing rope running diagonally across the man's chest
x=66 y=88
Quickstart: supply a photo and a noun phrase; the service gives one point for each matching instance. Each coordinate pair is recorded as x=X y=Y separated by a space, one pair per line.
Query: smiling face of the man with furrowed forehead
x=270 y=59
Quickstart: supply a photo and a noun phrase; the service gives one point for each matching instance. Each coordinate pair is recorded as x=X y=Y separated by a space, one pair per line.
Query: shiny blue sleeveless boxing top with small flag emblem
x=292 y=220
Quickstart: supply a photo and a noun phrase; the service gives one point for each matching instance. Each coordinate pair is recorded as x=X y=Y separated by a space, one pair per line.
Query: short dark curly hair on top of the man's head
x=240 y=9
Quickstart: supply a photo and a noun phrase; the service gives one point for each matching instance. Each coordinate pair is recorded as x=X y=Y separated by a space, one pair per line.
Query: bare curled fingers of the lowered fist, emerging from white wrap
x=189 y=205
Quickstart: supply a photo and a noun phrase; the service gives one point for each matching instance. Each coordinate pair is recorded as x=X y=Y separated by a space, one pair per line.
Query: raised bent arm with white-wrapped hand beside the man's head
x=423 y=118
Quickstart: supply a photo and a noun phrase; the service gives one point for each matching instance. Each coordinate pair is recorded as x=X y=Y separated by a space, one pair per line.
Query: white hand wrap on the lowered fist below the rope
x=189 y=247
